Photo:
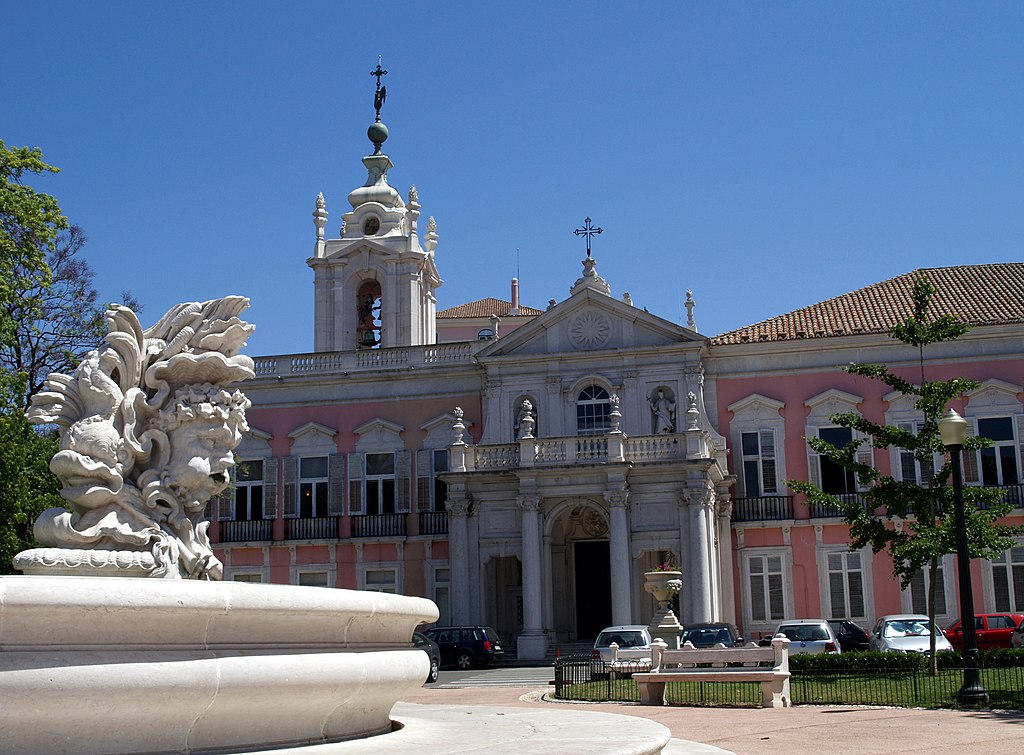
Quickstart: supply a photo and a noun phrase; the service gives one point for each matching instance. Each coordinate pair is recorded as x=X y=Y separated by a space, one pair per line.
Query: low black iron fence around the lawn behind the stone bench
x=581 y=678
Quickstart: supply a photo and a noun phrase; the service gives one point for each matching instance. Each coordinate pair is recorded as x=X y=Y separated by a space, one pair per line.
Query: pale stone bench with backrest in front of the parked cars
x=682 y=665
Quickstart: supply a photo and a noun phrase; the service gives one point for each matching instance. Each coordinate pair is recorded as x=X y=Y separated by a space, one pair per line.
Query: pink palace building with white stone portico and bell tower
x=524 y=468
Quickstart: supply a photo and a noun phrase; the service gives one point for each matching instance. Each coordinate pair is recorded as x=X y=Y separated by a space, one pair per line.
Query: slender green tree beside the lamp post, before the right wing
x=911 y=520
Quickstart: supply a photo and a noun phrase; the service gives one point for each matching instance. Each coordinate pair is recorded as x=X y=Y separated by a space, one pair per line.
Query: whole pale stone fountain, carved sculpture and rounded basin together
x=97 y=659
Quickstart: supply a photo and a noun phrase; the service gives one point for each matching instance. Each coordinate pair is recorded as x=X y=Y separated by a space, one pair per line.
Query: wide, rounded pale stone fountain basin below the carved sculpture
x=109 y=664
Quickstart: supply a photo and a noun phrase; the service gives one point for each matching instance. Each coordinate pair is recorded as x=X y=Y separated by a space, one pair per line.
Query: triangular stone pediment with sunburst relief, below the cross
x=590 y=321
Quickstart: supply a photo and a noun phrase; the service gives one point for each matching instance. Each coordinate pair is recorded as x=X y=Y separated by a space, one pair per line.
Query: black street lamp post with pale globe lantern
x=953 y=429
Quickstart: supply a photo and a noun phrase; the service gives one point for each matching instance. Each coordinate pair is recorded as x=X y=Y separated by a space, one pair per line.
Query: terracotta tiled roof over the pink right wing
x=980 y=295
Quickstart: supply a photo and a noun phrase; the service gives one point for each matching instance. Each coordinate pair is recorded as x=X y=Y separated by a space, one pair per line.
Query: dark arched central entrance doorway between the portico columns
x=580 y=570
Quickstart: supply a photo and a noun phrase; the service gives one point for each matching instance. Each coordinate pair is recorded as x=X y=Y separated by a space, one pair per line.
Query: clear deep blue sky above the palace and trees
x=765 y=155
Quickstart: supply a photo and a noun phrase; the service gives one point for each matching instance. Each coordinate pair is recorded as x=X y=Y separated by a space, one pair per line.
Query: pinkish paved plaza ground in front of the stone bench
x=803 y=729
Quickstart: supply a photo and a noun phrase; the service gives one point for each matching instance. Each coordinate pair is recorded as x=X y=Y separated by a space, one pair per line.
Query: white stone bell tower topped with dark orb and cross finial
x=375 y=285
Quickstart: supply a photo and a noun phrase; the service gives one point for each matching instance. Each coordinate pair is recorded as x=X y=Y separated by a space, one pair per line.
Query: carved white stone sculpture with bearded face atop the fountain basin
x=148 y=425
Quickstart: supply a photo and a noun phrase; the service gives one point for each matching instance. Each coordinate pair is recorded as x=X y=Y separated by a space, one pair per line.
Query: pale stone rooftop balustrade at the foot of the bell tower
x=326 y=363
